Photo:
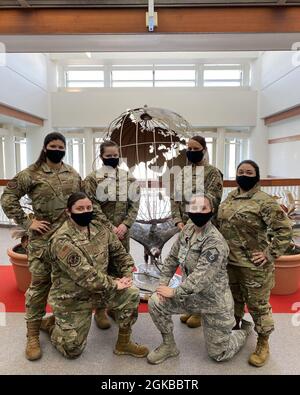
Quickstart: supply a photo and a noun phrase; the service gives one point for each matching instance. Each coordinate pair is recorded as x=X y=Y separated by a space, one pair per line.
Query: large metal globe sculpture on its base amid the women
x=151 y=141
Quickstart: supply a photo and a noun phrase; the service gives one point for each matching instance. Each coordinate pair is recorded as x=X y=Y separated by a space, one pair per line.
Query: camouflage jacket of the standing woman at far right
x=247 y=220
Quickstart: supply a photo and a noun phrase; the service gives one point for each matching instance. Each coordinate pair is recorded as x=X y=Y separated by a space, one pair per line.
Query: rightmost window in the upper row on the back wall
x=222 y=75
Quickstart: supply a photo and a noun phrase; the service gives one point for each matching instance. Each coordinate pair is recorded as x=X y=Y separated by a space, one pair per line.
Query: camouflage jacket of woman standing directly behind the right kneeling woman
x=213 y=189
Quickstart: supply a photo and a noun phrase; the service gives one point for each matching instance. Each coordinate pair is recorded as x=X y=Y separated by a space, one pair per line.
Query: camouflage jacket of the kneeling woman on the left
x=80 y=262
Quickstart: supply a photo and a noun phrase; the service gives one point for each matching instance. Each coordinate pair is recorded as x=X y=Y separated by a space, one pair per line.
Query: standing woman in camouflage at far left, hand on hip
x=48 y=183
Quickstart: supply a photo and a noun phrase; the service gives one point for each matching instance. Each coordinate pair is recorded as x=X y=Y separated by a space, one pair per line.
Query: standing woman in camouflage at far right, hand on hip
x=246 y=218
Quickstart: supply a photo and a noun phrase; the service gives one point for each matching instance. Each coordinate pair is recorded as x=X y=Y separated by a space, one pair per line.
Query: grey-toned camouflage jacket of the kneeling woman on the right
x=202 y=261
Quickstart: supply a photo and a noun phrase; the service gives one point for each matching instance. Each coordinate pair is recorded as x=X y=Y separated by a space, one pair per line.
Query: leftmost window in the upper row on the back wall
x=85 y=77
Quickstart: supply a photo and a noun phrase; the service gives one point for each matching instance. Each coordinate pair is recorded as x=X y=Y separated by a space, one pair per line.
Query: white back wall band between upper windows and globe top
x=209 y=107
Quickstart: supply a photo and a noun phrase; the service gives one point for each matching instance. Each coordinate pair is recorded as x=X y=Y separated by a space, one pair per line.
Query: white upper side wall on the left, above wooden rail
x=24 y=85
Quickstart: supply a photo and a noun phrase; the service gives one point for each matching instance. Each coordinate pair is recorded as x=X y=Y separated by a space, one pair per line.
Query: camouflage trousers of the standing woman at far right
x=252 y=286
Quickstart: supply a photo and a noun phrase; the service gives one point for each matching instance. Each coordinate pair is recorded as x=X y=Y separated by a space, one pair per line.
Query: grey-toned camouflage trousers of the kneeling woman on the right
x=221 y=342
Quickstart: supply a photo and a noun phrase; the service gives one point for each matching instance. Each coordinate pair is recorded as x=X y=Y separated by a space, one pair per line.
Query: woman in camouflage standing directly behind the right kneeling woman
x=212 y=180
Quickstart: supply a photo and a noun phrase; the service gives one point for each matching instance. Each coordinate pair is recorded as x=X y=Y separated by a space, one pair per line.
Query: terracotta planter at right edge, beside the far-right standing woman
x=287 y=275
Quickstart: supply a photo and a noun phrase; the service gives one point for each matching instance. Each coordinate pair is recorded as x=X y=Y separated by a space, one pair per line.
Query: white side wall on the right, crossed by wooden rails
x=280 y=83
